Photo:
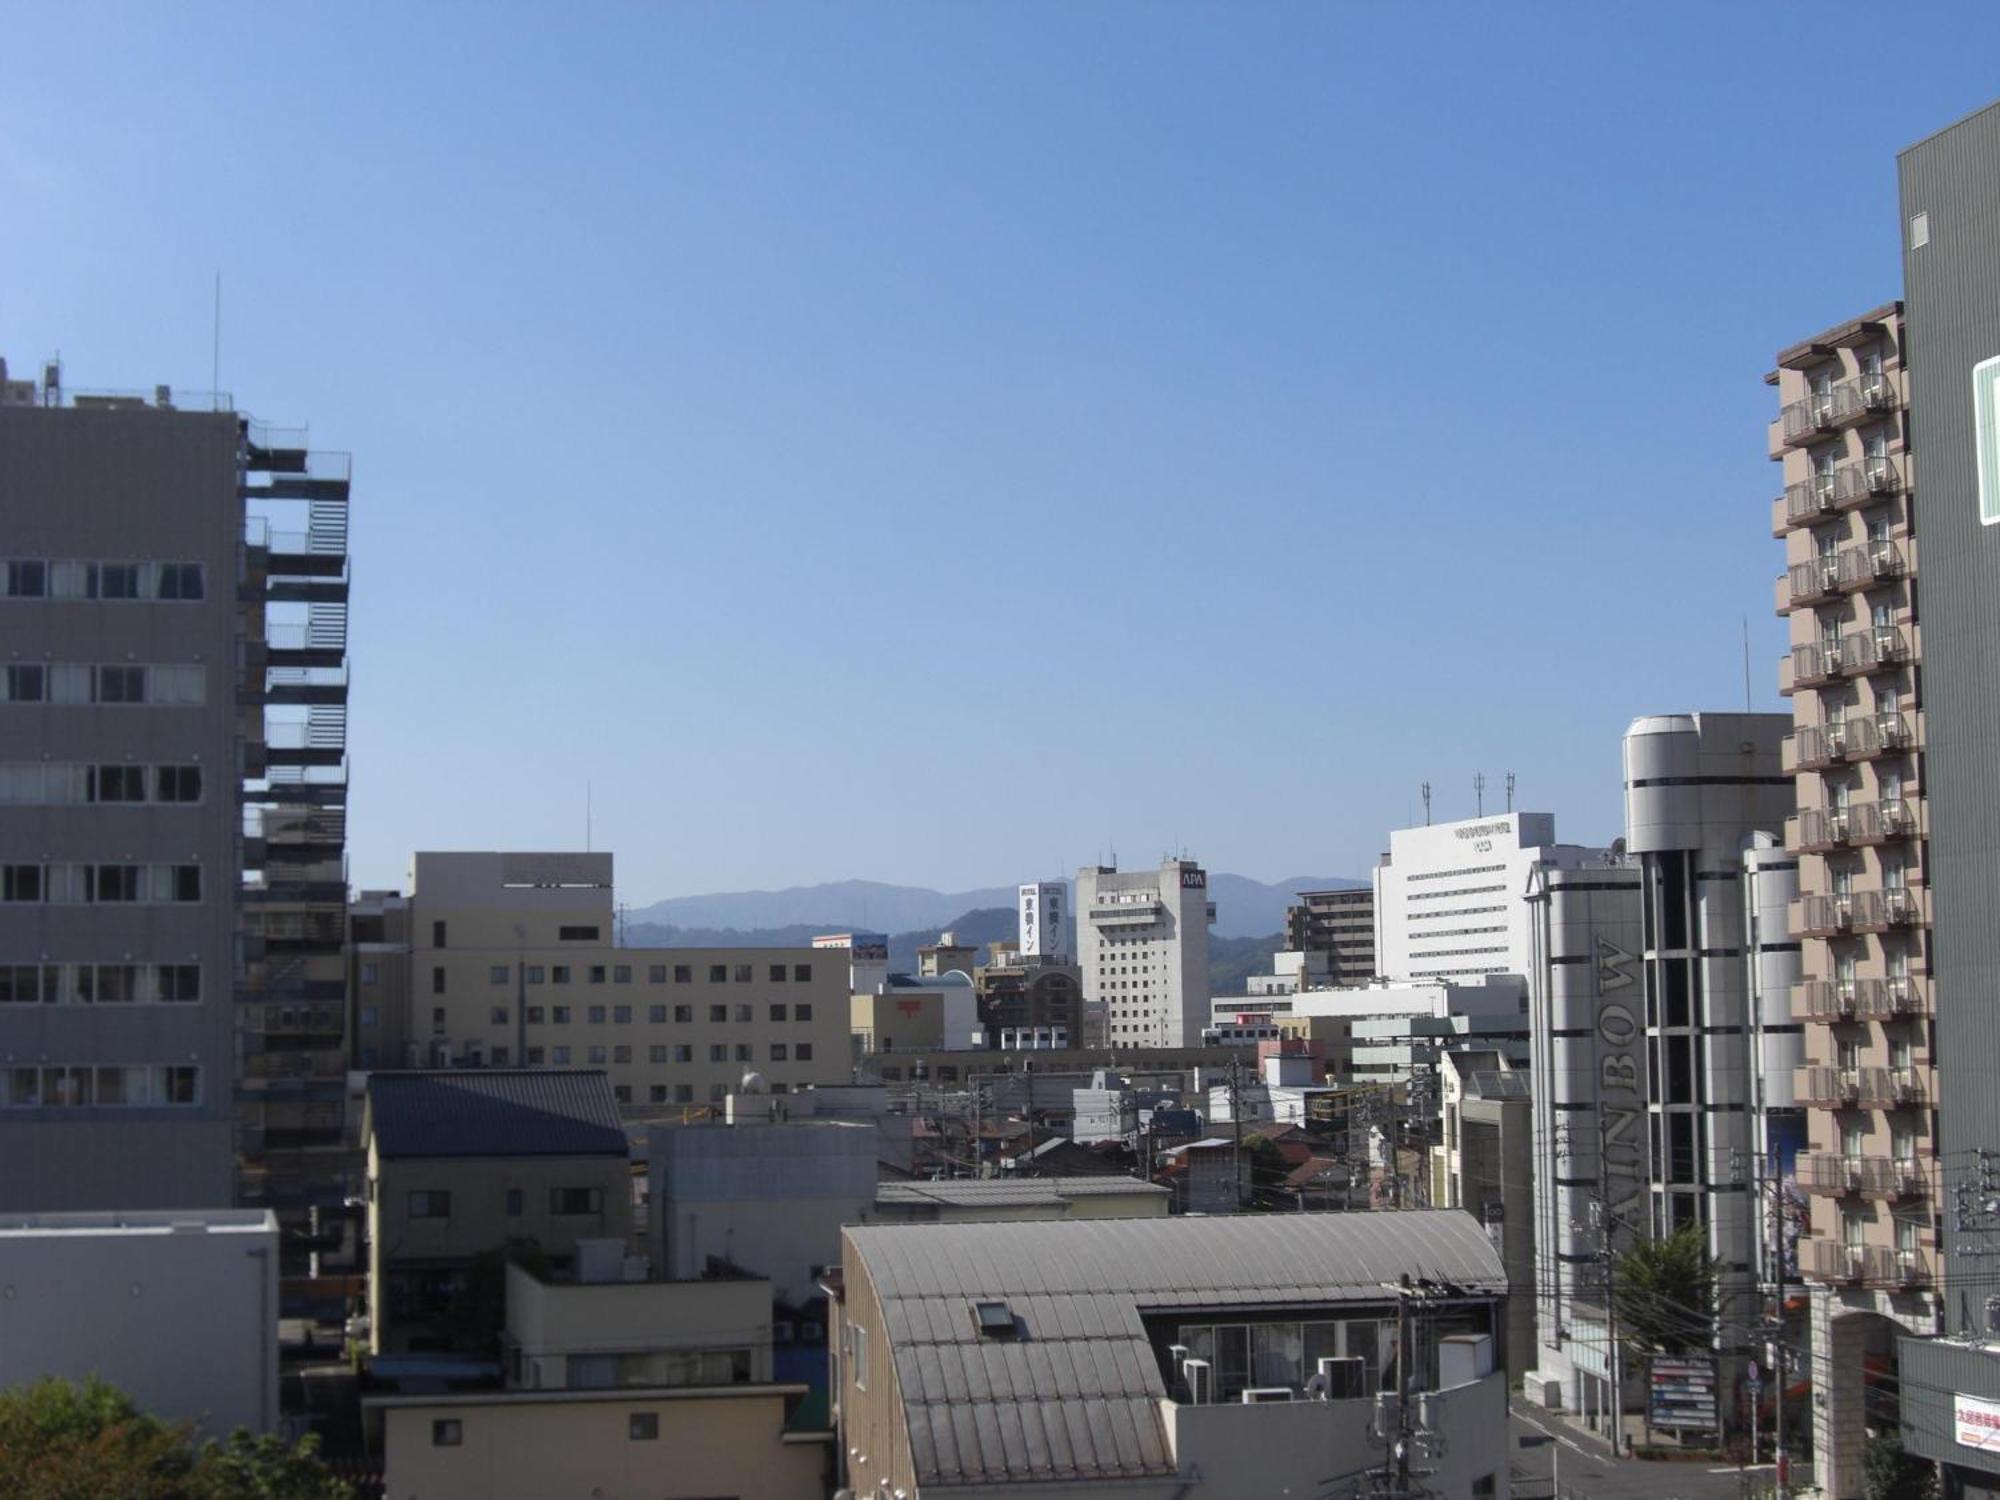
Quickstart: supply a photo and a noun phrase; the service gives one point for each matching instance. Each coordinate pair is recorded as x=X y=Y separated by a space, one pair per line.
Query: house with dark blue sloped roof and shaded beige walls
x=469 y=1163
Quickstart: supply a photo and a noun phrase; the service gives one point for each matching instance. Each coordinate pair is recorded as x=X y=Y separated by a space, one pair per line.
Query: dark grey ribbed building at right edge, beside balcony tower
x=1951 y=265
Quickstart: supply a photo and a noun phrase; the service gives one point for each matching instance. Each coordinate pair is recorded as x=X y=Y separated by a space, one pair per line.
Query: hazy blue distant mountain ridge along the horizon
x=1245 y=907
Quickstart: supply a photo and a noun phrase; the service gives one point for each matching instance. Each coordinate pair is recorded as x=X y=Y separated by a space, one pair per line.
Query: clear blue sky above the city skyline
x=937 y=443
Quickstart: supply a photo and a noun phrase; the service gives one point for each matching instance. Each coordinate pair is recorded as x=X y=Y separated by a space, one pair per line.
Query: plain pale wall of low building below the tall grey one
x=179 y=1311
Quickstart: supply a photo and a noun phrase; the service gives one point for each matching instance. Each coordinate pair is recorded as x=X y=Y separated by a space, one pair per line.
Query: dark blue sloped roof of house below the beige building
x=495 y=1113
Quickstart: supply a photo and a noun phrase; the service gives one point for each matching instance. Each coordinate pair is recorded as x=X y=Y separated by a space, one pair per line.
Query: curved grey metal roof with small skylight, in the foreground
x=1077 y=1395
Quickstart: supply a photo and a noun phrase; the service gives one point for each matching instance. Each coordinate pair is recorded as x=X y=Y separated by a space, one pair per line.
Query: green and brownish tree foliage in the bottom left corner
x=67 y=1441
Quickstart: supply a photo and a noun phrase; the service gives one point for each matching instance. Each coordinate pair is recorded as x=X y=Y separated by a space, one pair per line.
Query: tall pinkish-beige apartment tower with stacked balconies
x=1863 y=919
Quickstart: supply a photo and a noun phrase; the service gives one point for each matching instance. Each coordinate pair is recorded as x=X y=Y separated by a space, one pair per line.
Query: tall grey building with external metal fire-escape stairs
x=159 y=865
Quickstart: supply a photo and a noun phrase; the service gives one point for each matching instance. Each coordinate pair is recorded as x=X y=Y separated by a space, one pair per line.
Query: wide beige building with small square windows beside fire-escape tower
x=511 y=961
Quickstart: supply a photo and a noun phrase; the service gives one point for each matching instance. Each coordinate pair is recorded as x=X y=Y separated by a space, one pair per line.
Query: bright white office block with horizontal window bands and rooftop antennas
x=1449 y=897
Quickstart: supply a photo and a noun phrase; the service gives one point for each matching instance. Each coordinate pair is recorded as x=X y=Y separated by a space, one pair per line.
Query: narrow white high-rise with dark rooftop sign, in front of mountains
x=1143 y=945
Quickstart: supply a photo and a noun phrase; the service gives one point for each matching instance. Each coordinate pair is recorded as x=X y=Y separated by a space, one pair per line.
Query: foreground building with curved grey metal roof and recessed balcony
x=1217 y=1357
